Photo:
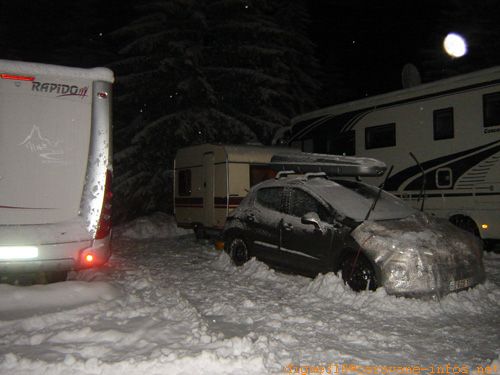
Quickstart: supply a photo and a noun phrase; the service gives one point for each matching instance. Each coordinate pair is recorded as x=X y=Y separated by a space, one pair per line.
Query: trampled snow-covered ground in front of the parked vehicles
x=167 y=304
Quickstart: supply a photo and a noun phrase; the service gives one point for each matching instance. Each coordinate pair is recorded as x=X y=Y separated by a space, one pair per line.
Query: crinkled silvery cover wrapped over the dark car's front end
x=421 y=255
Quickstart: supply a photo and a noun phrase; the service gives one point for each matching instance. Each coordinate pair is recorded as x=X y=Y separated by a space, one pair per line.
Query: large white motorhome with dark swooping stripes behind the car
x=442 y=139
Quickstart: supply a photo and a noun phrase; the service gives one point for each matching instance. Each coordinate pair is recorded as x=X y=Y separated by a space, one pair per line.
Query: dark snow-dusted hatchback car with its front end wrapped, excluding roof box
x=311 y=224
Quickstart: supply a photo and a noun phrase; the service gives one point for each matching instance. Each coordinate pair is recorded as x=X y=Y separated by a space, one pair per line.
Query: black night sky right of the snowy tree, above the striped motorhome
x=370 y=42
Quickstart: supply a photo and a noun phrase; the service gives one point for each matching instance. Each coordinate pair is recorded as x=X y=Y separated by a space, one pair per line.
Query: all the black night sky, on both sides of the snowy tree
x=362 y=45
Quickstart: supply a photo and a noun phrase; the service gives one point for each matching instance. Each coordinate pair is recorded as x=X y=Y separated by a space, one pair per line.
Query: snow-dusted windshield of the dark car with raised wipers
x=354 y=199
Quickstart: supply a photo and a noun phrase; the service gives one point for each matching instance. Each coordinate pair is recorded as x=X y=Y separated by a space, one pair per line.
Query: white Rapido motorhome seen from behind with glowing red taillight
x=55 y=168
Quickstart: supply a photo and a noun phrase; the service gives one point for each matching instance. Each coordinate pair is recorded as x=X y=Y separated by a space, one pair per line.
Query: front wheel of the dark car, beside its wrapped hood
x=358 y=272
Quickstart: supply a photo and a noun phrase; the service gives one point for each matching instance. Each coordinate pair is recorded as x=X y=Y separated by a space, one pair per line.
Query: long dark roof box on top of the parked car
x=332 y=165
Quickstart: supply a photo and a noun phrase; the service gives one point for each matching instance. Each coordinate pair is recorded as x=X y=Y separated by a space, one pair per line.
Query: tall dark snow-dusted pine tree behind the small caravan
x=225 y=71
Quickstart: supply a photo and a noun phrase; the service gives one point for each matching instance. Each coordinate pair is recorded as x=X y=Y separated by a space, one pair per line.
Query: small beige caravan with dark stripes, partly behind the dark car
x=211 y=180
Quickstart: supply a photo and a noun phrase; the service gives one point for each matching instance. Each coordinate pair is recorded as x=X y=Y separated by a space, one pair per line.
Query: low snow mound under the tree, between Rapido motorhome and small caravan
x=158 y=225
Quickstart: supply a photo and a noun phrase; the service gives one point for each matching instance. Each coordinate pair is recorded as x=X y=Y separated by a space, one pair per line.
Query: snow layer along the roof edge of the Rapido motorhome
x=18 y=67
